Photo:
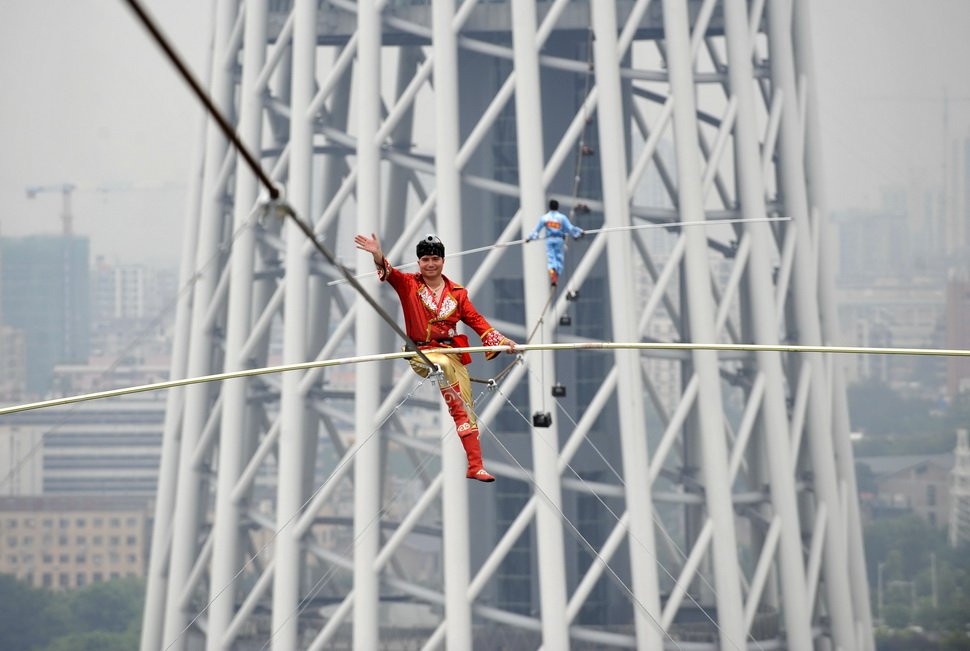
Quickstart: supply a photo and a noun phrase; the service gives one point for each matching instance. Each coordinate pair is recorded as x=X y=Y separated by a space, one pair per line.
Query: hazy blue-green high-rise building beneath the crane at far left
x=45 y=293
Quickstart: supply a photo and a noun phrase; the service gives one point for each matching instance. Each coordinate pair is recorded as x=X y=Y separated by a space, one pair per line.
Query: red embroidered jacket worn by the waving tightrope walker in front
x=426 y=322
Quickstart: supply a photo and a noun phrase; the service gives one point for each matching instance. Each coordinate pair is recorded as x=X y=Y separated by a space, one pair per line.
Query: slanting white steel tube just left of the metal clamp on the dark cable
x=235 y=413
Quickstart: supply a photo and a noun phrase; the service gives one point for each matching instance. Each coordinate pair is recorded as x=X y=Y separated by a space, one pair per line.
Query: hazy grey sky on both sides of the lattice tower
x=88 y=99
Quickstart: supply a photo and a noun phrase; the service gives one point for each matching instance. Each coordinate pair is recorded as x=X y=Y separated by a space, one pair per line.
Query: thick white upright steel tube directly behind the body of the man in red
x=458 y=618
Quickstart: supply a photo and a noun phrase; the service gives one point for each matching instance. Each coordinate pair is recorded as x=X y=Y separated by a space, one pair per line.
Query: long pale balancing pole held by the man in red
x=520 y=348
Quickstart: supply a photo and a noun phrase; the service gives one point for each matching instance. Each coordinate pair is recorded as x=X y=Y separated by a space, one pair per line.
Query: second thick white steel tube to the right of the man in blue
x=700 y=305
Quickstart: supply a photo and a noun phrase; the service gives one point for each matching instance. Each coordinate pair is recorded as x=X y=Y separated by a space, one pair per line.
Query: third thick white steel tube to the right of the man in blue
x=773 y=426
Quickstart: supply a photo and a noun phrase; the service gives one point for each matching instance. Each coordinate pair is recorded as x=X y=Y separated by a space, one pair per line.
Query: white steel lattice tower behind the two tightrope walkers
x=712 y=506
